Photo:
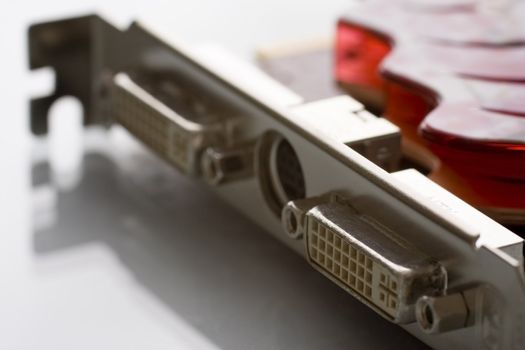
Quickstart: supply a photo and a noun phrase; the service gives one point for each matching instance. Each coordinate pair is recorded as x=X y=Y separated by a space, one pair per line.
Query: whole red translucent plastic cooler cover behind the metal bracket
x=480 y=141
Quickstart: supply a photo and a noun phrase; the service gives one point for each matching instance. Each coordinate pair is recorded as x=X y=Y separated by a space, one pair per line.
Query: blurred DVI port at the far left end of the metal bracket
x=168 y=119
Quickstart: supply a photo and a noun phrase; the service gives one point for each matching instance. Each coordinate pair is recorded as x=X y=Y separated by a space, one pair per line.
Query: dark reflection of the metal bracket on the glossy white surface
x=222 y=275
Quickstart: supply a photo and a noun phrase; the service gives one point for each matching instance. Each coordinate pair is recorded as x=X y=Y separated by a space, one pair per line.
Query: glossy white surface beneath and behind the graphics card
x=124 y=253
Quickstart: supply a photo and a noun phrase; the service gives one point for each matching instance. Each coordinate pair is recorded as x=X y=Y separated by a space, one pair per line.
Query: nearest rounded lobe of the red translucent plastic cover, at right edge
x=477 y=142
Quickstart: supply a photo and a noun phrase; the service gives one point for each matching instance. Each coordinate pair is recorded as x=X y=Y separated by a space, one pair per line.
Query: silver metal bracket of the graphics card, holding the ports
x=259 y=155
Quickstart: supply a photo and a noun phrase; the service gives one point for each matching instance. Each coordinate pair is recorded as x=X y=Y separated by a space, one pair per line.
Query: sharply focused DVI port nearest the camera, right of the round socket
x=366 y=259
